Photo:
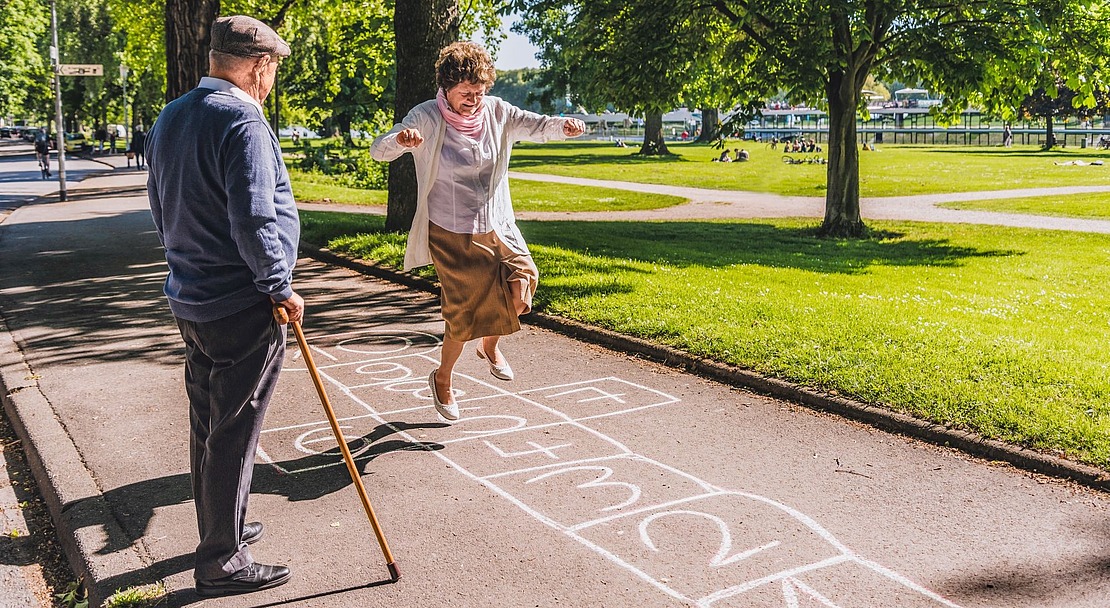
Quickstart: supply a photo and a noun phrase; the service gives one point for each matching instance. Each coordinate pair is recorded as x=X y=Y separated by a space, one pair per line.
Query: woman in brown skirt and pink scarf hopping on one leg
x=461 y=143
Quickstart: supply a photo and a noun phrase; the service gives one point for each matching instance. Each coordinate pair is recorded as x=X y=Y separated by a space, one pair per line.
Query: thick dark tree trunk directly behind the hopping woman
x=422 y=28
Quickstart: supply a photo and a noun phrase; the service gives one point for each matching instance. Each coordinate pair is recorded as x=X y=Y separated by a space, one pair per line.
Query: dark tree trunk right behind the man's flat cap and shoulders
x=188 y=32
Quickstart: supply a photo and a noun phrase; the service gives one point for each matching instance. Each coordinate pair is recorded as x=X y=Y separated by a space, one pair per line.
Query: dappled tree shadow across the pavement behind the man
x=70 y=296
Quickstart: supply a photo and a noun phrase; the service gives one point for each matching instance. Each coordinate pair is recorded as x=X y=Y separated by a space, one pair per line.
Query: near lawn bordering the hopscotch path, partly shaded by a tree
x=984 y=329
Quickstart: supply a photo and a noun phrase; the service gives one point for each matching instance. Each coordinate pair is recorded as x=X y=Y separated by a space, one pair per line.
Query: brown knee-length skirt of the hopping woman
x=476 y=272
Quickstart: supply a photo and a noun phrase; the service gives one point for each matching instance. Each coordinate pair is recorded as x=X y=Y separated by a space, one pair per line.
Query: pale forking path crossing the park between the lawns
x=719 y=205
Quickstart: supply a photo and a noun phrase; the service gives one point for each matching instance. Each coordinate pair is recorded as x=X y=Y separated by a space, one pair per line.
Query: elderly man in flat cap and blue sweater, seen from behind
x=221 y=201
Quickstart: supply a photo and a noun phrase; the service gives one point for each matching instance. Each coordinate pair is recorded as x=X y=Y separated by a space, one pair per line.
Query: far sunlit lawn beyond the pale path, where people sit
x=894 y=170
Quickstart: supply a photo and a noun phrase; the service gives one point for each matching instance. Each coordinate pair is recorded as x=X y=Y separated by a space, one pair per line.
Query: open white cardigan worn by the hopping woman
x=508 y=125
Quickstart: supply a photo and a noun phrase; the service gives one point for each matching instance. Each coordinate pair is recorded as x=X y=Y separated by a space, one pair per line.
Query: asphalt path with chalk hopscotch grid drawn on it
x=593 y=480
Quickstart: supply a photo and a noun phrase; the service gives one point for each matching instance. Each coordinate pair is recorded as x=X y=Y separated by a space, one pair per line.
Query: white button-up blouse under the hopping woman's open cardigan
x=460 y=199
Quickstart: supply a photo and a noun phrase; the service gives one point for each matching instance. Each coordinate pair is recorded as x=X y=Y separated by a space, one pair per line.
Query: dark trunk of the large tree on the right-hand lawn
x=842 y=199
